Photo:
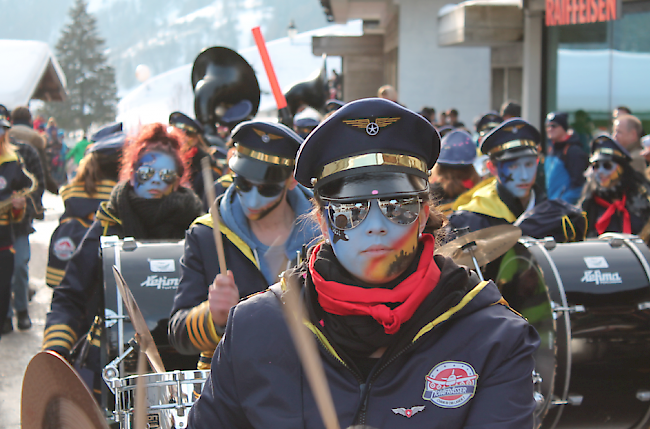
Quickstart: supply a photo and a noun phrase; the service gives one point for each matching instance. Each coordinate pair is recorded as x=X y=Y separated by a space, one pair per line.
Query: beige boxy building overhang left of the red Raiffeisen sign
x=481 y=23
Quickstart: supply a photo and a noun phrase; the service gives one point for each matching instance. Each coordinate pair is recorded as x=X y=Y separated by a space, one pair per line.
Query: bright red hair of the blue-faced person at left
x=155 y=137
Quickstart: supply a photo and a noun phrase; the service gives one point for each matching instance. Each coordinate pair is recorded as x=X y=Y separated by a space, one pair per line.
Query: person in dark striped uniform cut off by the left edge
x=13 y=178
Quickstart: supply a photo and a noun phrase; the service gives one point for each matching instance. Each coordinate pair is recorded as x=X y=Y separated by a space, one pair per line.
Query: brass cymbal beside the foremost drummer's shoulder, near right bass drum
x=490 y=243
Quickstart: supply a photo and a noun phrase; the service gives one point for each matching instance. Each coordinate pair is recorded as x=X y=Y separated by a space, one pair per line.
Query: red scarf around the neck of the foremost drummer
x=346 y=300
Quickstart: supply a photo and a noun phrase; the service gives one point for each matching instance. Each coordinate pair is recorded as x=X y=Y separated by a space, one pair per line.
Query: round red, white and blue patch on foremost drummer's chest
x=450 y=384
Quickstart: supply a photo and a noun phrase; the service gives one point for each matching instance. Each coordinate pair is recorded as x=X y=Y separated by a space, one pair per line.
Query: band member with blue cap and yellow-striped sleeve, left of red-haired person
x=96 y=177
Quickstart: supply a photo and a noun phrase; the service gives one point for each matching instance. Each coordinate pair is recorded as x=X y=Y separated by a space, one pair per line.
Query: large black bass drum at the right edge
x=590 y=303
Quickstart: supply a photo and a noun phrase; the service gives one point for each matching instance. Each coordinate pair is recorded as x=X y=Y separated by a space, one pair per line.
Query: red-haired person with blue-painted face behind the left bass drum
x=151 y=201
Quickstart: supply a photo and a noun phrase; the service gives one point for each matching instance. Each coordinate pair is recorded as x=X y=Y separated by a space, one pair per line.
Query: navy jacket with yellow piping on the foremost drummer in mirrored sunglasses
x=257 y=380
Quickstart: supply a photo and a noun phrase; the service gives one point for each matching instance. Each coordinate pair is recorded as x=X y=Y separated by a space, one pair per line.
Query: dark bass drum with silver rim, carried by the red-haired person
x=152 y=271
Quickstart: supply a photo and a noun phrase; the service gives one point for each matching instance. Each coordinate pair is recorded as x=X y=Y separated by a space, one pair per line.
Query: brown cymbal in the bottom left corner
x=54 y=395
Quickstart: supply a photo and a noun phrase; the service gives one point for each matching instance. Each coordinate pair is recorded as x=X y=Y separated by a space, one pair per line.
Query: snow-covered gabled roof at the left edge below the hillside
x=28 y=69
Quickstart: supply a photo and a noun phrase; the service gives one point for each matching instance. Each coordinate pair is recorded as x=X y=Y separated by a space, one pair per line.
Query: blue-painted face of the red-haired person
x=155 y=186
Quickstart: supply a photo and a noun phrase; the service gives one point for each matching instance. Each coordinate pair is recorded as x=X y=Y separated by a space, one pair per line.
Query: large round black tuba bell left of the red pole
x=226 y=90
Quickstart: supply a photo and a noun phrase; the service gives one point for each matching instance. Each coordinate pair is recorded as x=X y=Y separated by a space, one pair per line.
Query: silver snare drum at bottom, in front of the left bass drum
x=170 y=396
